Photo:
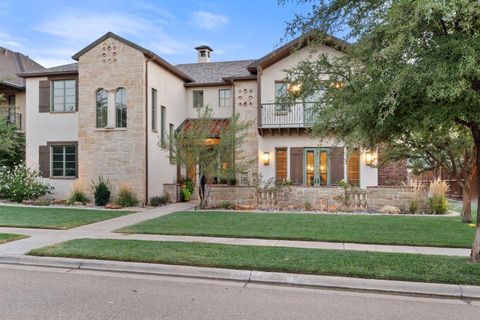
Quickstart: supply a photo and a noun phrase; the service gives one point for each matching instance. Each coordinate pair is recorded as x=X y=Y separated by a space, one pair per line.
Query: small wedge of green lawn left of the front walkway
x=52 y=218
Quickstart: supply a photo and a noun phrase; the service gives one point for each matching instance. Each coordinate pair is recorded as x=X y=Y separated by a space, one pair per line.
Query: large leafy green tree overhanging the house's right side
x=414 y=66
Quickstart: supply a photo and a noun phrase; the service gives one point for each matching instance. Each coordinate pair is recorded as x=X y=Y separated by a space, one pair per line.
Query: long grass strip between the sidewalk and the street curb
x=409 y=267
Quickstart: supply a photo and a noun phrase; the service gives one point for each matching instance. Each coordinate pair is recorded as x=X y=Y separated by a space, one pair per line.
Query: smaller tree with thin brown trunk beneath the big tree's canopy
x=450 y=149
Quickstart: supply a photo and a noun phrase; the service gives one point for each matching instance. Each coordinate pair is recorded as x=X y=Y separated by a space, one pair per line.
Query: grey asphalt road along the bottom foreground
x=41 y=293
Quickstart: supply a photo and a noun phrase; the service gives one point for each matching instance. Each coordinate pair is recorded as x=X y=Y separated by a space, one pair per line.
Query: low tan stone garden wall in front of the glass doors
x=319 y=198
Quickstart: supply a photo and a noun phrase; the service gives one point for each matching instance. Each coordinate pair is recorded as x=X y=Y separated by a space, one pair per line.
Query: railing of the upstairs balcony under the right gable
x=296 y=115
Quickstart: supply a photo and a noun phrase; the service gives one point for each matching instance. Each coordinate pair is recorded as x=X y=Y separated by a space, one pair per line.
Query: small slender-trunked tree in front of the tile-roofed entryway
x=212 y=149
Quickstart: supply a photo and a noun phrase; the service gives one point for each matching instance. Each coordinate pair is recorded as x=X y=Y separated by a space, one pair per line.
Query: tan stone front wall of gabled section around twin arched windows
x=116 y=154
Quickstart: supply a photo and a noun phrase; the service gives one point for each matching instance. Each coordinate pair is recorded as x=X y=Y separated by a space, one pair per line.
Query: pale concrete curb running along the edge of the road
x=259 y=277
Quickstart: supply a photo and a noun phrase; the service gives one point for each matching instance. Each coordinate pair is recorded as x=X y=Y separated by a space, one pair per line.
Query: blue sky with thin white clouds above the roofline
x=51 y=31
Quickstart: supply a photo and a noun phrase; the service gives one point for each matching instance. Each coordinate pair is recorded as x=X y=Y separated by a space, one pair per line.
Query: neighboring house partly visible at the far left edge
x=12 y=87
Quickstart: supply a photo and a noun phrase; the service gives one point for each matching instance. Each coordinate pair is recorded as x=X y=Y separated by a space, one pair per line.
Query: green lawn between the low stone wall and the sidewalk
x=399 y=230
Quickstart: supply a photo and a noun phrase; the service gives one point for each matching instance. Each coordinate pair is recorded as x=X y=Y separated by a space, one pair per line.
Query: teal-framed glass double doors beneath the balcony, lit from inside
x=316 y=164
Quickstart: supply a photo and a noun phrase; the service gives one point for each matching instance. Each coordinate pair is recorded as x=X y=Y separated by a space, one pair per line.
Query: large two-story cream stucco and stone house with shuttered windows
x=111 y=115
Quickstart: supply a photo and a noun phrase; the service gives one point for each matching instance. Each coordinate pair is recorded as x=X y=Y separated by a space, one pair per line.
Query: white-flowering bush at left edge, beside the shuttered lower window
x=22 y=183
